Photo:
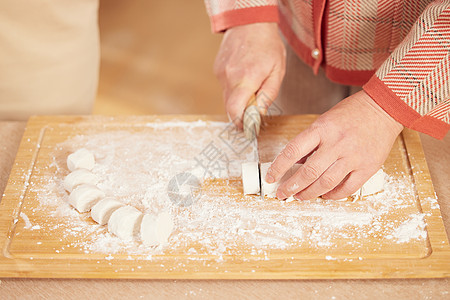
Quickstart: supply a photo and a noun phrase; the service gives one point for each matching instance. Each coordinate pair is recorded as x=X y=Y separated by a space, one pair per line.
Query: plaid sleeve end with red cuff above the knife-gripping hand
x=225 y=14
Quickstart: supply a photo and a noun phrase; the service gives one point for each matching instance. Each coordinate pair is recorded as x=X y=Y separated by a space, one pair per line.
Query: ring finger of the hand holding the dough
x=330 y=179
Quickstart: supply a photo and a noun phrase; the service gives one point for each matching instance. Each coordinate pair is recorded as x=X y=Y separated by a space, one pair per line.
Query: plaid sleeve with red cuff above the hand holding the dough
x=413 y=84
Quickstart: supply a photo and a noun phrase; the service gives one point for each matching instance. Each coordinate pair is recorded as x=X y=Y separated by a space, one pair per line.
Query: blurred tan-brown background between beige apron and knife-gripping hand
x=157 y=58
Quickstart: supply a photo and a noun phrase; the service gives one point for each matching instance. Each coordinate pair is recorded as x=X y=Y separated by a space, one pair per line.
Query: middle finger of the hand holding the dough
x=311 y=171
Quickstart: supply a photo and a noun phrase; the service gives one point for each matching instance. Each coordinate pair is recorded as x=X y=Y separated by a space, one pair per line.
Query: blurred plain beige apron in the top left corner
x=49 y=57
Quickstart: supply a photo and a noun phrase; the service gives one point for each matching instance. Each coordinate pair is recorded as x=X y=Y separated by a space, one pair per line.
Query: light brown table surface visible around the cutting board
x=438 y=157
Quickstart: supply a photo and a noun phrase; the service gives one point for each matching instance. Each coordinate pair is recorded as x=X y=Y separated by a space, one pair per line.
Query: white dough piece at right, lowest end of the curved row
x=156 y=230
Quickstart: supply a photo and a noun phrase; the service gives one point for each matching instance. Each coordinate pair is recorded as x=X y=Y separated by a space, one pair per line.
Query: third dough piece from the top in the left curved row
x=84 y=196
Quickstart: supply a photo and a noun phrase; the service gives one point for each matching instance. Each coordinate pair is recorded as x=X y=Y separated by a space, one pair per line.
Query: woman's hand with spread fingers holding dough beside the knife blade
x=345 y=146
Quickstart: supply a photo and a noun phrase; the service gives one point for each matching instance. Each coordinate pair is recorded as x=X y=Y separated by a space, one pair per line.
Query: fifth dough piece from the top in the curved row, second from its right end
x=125 y=222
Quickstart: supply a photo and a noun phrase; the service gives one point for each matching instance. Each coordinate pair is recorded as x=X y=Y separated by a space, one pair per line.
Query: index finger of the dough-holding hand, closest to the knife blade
x=295 y=150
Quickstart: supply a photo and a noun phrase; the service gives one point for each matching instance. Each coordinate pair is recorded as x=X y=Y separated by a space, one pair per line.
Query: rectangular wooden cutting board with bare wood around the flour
x=31 y=253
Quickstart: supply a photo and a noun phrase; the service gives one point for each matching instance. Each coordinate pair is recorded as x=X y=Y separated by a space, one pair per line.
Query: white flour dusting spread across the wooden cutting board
x=137 y=166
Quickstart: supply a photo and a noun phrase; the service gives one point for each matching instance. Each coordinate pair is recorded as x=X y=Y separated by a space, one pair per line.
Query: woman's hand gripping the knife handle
x=251 y=60
